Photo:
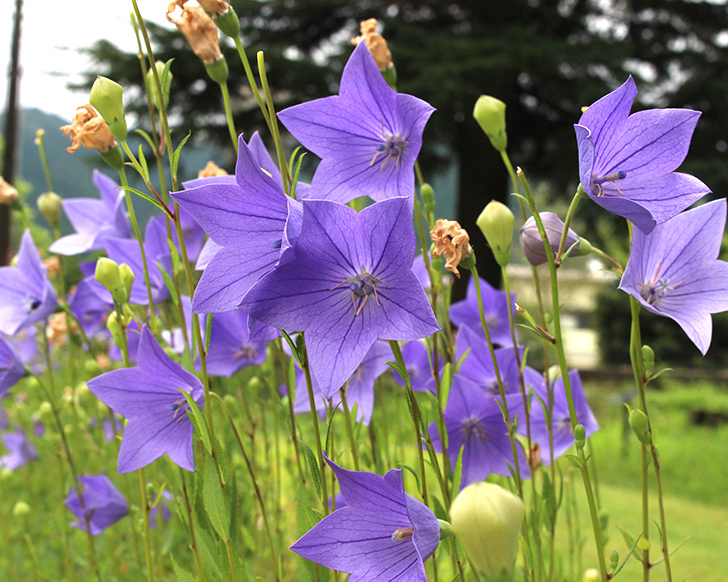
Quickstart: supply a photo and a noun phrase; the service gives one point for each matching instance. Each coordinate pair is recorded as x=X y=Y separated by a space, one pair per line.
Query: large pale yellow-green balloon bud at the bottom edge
x=487 y=520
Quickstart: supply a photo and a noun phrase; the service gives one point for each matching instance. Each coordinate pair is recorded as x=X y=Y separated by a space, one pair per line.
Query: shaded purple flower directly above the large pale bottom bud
x=474 y=421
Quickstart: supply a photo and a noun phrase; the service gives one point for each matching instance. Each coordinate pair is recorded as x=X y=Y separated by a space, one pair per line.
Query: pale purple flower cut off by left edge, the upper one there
x=27 y=295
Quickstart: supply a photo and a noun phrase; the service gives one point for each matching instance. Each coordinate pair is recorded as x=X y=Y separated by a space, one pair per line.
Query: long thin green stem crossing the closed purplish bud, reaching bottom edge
x=565 y=374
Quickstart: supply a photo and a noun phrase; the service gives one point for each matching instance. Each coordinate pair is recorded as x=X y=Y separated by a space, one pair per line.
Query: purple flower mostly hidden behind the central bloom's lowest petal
x=359 y=390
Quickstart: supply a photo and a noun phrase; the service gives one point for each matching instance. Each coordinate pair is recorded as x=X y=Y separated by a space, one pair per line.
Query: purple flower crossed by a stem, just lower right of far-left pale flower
x=157 y=253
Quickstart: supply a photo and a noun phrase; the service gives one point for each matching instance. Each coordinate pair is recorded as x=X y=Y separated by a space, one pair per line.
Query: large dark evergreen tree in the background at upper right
x=546 y=59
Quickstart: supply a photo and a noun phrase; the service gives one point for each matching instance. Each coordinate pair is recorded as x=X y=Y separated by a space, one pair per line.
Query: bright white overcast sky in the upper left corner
x=52 y=33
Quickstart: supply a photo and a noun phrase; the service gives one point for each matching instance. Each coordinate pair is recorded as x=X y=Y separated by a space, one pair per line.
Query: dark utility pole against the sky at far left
x=11 y=132
